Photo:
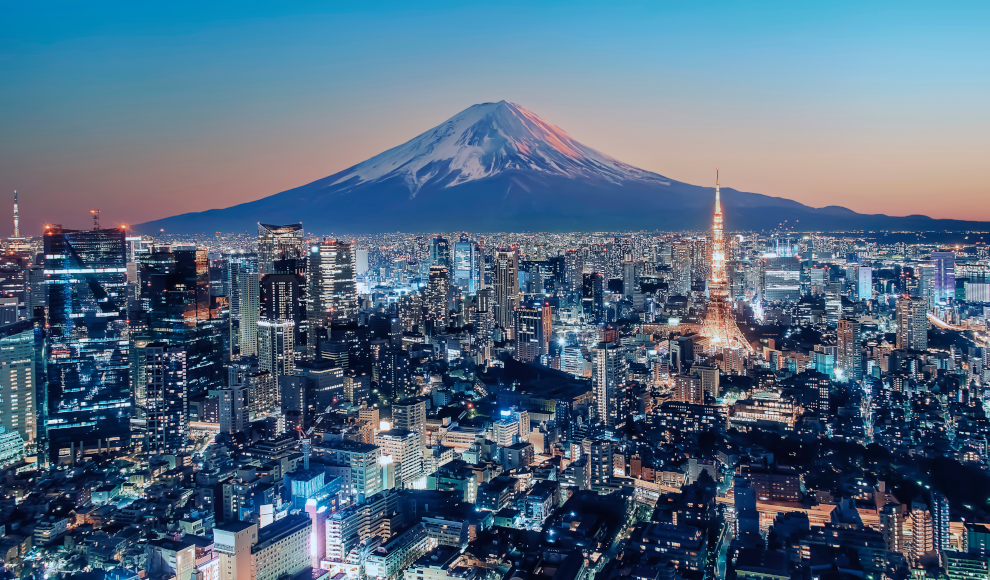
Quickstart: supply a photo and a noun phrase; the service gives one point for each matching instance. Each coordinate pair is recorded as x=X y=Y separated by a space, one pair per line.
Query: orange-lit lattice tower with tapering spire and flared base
x=720 y=324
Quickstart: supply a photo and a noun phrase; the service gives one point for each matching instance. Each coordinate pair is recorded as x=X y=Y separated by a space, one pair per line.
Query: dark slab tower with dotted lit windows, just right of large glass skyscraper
x=167 y=397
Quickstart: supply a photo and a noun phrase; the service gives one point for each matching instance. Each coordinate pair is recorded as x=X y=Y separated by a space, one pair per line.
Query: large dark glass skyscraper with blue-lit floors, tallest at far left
x=89 y=398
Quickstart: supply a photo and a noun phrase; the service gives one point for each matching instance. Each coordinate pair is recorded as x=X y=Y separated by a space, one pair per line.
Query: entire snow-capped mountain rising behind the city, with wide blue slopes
x=500 y=167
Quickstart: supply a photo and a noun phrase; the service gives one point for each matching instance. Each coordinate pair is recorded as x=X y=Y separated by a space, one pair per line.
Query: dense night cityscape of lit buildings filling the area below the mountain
x=537 y=406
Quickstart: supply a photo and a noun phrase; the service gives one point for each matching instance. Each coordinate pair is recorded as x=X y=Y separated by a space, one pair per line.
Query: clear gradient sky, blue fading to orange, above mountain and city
x=148 y=111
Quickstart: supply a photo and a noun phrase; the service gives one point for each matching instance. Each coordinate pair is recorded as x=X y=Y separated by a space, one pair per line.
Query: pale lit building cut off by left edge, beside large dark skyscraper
x=21 y=382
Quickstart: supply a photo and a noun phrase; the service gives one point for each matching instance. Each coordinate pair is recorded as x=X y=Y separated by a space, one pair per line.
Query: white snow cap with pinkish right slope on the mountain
x=487 y=139
